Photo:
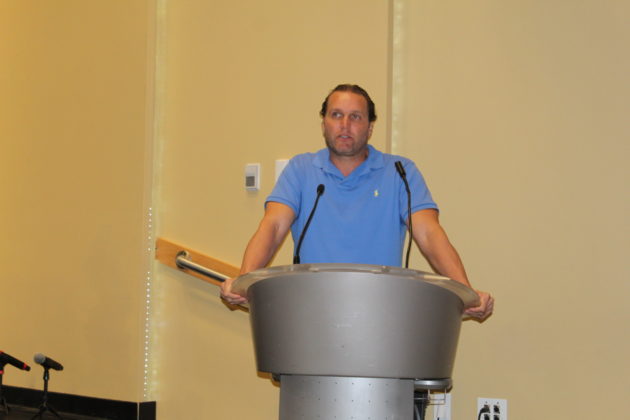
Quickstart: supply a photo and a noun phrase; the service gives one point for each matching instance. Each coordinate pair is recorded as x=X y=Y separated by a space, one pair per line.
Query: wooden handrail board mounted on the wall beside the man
x=167 y=252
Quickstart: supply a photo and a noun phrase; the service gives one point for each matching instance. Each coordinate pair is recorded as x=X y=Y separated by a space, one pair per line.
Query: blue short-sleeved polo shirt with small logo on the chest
x=360 y=218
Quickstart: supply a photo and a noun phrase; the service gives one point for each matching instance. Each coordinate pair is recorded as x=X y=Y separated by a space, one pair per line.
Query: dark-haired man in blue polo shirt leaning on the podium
x=363 y=213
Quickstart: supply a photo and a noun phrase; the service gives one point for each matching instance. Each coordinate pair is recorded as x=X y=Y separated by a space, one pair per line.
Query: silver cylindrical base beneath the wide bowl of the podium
x=345 y=398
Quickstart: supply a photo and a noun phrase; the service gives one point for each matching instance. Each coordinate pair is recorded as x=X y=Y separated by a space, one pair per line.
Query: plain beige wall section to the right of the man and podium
x=518 y=114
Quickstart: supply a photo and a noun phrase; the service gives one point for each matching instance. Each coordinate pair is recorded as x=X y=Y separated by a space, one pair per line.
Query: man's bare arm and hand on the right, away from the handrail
x=443 y=258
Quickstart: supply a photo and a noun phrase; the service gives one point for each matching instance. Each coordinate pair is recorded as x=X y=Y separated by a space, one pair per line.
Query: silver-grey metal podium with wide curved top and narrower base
x=353 y=341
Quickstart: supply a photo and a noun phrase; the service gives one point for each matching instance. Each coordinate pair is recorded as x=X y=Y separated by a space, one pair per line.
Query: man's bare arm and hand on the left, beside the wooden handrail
x=271 y=232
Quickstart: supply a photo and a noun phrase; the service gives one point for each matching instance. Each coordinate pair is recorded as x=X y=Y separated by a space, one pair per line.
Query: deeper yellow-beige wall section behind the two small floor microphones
x=73 y=136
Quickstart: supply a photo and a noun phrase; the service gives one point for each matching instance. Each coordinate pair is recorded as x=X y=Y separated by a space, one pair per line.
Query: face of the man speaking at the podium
x=345 y=126
